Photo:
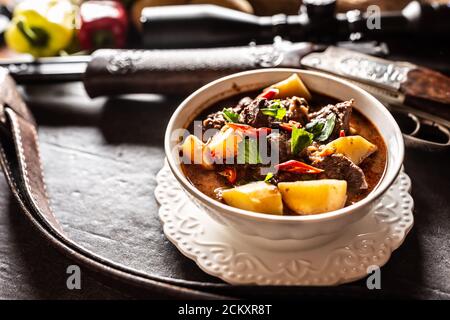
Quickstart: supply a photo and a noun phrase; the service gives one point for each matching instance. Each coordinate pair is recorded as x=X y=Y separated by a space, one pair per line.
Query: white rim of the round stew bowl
x=385 y=182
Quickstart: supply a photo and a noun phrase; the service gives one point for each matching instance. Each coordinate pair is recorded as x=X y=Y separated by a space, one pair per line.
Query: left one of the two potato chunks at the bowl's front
x=256 y=196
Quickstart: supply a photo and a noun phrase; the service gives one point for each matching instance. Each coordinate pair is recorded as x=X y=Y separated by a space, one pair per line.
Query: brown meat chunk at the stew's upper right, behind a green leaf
x=343 y=112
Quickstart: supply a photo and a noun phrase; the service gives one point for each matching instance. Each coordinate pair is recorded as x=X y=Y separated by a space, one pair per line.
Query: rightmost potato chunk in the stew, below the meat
x=356 y=148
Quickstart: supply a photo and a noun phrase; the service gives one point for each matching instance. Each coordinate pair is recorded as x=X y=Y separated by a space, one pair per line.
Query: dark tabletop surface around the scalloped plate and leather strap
x=100 y=160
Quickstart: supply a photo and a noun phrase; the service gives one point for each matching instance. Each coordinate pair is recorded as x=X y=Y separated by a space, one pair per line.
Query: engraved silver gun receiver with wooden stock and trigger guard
x=398 y=85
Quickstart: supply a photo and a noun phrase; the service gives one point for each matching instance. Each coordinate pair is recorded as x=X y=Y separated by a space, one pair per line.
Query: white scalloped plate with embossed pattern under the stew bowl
x=241 y=259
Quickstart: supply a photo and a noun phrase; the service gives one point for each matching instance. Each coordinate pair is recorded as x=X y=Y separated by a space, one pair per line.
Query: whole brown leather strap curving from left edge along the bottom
x=21 y=164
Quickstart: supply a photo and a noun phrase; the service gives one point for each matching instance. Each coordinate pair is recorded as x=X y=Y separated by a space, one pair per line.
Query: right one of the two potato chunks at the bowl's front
x=314 y=196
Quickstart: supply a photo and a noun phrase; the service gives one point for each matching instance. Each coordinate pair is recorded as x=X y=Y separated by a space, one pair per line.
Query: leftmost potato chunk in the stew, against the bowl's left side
x=196 y=152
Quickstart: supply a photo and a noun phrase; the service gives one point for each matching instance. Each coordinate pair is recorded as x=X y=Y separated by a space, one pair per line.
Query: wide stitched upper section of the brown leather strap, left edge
x=19 y=153
